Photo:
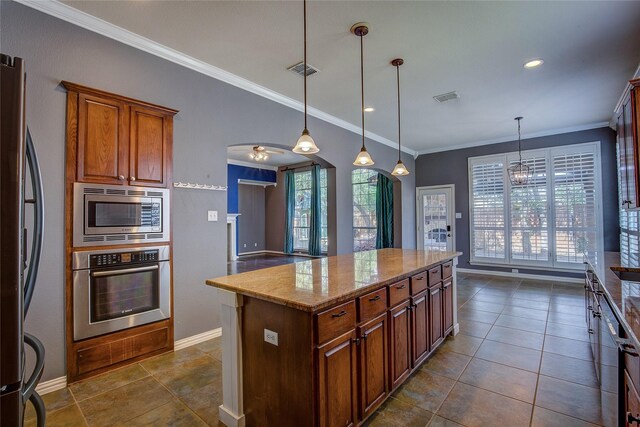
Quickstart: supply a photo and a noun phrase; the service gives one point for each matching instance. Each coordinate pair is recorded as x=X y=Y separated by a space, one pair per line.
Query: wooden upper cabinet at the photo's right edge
x=628 y=130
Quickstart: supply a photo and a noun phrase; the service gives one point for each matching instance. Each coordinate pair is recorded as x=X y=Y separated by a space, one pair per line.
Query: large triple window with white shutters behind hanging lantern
x=552 y=221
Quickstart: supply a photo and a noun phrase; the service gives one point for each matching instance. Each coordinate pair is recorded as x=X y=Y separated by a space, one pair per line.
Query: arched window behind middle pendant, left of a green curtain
x=364 y=183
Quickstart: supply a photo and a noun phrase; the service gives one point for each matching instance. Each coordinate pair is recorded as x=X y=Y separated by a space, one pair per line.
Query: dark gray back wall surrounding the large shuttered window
x=450 y=167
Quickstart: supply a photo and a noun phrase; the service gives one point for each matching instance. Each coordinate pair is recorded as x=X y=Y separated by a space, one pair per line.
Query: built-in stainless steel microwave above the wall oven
x=119 y=214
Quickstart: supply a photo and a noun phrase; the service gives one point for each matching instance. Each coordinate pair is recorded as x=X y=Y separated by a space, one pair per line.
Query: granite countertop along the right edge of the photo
x=624 y=295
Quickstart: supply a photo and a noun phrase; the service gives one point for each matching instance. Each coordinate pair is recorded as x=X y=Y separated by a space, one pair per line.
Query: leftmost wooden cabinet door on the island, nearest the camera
x=337 y=365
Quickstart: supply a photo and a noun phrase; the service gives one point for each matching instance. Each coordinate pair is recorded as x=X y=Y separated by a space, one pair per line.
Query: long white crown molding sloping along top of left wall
x=107 y=29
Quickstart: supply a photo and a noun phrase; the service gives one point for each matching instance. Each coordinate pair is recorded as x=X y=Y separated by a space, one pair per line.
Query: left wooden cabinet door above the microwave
x=103 y=145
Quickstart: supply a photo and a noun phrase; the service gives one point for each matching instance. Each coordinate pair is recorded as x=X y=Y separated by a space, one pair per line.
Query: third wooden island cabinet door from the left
x=400 y=346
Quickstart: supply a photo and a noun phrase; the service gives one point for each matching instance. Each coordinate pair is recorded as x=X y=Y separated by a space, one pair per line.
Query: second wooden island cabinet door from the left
x=373 y=372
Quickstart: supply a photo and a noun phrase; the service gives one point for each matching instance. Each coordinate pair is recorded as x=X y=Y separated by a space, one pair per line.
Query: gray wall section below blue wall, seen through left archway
x=251 y=206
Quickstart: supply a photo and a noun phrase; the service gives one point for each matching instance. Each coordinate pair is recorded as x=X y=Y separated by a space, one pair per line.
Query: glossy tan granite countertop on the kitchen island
x=319 y=283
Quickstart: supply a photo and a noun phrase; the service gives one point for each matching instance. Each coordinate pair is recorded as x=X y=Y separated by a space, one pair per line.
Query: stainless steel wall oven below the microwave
x=119 y=289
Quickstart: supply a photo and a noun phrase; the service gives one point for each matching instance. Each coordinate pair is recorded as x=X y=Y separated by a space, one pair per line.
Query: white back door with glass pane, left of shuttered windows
x=435 y=206
